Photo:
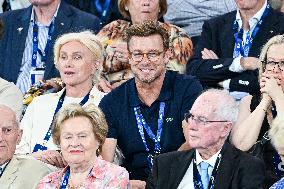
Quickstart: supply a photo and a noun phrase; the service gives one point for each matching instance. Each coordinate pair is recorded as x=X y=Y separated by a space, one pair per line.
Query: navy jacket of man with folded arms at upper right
x=218 y=35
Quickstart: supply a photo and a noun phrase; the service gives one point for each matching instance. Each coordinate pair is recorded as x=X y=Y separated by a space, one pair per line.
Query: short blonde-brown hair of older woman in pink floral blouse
x=91 y=112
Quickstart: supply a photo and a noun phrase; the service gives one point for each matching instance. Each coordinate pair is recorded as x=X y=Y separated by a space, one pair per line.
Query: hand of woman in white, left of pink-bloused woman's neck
x=52 y=157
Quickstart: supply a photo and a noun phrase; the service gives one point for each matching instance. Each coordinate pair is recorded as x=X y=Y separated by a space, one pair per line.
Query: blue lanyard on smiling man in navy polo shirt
x=141 y=123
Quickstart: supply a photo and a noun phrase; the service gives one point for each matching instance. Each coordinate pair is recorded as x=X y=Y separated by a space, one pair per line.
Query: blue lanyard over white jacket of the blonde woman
x=59 y=105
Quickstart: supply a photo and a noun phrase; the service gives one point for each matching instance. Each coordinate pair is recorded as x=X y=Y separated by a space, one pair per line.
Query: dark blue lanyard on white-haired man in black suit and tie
x=197 y=178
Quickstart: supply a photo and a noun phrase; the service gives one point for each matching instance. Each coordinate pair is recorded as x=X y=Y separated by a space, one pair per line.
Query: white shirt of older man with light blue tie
x=187 y=180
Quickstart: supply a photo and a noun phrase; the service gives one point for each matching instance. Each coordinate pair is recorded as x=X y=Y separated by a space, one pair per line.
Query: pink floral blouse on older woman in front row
x=104 y=175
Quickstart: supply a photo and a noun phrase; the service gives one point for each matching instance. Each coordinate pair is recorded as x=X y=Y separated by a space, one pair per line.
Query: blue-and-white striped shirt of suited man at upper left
x=24 y=78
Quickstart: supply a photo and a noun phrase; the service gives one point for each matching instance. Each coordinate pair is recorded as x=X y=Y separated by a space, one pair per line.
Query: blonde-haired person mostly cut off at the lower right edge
x=276 y=134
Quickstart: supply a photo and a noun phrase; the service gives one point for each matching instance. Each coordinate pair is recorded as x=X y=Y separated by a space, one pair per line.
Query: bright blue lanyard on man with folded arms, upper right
x=243 y=48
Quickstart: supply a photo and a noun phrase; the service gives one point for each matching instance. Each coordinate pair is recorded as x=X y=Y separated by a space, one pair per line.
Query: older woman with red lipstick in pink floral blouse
x=80 y=133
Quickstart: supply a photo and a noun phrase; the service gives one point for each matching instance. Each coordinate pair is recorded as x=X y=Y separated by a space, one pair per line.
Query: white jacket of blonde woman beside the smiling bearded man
x=39 y=115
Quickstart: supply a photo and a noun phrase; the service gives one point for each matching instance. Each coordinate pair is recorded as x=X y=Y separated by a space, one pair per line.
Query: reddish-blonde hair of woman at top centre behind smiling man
x=123 y=3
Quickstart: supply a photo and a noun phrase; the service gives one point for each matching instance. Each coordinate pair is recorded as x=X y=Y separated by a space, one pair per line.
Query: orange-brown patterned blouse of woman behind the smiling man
x=118 y=72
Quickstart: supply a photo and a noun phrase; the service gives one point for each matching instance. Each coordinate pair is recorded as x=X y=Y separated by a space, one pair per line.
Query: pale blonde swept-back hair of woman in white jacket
x=88 y=39
